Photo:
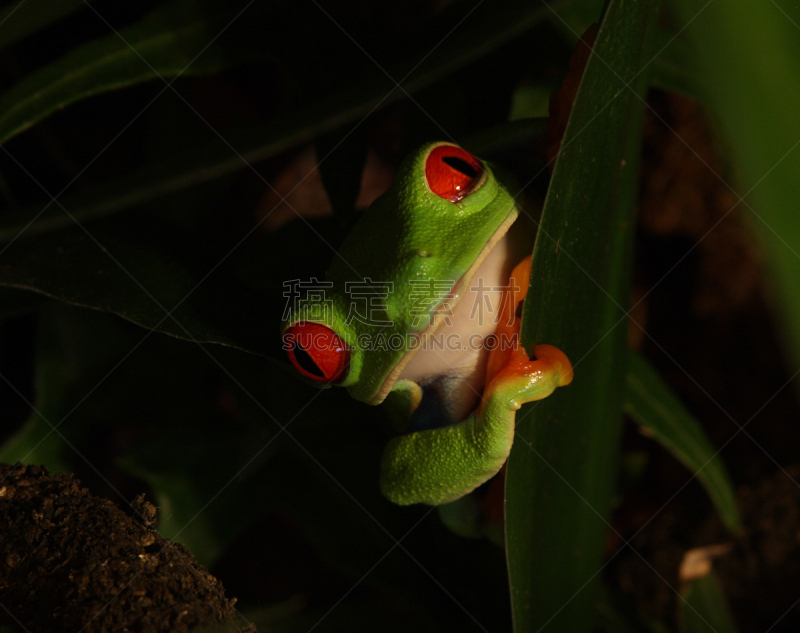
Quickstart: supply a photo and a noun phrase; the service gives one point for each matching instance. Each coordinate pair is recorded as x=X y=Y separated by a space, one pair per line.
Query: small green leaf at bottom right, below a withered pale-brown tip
x=704 y=608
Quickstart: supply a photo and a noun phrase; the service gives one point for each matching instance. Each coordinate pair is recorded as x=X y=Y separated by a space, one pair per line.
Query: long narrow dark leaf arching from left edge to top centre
x=475 y=38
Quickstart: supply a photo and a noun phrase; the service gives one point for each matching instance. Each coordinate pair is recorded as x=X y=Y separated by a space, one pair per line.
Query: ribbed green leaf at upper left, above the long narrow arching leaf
x=168 y=42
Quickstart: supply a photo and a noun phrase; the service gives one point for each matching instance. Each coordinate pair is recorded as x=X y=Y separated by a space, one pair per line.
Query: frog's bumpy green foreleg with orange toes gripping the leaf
x=441 y=465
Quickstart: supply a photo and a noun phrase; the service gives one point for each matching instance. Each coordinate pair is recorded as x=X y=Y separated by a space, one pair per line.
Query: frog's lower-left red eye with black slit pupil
x=316 y=351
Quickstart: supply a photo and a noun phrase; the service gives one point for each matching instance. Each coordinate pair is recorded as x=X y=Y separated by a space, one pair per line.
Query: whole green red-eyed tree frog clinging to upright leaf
x=397 y=322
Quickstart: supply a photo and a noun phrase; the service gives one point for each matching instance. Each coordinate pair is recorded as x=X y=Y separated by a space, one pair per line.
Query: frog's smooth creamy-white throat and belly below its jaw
x=456 y=349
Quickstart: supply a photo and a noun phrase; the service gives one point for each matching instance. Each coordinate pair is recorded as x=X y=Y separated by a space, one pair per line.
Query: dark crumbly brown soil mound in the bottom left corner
x=72 y=561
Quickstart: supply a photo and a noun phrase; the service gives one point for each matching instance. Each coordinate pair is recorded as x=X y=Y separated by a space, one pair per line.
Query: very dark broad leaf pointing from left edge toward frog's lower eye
x=148 y=273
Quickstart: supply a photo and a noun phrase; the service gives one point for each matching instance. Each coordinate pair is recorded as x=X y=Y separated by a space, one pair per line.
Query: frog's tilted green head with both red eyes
x=411 y=253
